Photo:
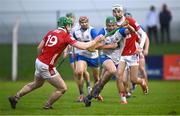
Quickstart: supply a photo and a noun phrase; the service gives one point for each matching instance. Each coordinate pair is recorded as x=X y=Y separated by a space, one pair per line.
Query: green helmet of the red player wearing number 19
x=63 y=22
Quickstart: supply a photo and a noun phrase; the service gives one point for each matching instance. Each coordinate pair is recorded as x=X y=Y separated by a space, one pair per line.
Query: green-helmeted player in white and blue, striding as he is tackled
x=110 y=57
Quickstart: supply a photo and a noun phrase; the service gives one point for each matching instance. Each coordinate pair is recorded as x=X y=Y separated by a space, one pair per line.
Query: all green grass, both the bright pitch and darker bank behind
x=164 y=97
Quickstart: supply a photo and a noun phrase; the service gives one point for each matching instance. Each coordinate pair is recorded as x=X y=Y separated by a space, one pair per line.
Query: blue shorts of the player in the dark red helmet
x=92 y=62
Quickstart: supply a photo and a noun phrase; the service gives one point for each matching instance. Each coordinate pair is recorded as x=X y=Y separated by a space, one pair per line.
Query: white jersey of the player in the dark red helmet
x=85 y=36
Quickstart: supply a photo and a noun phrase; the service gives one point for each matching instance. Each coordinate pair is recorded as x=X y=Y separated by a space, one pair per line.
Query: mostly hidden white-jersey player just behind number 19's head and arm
x=73 y=53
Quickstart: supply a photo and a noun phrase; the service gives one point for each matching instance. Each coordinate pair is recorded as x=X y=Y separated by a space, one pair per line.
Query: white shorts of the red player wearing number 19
x=42 y=70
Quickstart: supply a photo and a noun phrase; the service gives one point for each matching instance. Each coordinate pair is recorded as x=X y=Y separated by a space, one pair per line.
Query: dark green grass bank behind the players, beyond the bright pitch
x=27 y=55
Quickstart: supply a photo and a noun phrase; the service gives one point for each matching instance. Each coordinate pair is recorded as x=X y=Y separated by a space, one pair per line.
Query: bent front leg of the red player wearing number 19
x=61 y=88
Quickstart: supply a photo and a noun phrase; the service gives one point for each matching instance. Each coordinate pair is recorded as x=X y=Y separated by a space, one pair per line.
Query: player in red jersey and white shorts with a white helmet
x=130 y=54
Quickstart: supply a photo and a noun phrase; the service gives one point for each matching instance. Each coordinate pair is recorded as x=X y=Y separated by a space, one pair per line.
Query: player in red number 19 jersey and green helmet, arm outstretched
x=50 y=49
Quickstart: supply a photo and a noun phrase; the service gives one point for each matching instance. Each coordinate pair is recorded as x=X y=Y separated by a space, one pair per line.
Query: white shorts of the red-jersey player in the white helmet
x=131 y=60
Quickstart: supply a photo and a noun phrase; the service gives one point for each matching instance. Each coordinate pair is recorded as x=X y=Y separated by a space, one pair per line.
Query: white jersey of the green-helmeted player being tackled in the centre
x=114 y=54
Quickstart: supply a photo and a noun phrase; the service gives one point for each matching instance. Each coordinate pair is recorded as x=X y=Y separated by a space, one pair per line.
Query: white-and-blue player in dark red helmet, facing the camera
x=86 y=33
